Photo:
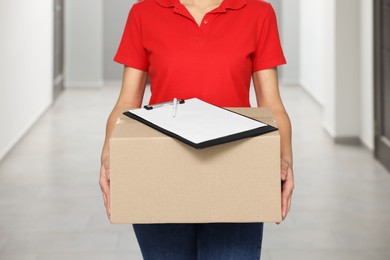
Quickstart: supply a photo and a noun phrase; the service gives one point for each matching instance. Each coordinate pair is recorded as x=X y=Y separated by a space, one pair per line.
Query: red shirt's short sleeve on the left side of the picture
x=131 y=51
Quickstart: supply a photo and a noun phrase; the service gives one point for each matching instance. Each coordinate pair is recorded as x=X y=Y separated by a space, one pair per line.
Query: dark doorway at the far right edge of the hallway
x=382 y=81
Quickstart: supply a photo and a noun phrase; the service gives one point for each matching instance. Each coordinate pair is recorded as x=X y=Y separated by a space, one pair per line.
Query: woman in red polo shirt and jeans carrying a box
x=209 y=49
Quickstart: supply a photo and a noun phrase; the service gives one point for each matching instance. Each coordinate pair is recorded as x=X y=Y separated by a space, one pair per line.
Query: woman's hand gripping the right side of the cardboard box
x=287 y=177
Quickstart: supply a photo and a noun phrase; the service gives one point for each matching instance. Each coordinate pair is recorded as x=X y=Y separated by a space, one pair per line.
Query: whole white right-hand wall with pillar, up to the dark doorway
x=337 y=65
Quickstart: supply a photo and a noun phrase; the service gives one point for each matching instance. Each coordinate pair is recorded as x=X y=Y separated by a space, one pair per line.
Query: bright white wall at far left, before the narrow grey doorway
x=26 y=51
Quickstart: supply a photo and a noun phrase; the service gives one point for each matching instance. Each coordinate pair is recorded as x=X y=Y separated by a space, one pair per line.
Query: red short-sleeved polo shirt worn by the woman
x=214 y=61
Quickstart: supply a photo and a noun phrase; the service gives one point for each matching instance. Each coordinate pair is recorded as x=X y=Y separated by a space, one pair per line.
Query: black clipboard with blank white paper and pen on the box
x=198 y=123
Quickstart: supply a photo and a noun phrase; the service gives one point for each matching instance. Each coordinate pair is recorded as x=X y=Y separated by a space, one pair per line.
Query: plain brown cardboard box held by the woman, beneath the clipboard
x=158 y=179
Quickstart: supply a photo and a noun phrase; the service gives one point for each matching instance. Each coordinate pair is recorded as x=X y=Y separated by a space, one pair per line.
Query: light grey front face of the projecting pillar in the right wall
x=347 y=69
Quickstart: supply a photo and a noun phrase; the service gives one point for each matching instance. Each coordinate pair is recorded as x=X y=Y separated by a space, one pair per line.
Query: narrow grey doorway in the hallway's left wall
x=58 y=68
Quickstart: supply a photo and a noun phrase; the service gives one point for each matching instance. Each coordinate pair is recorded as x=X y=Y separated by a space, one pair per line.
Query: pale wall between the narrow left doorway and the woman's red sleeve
x=93 y=29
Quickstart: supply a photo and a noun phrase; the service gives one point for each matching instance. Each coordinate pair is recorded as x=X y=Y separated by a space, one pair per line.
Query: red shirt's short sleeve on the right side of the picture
x=268 y=53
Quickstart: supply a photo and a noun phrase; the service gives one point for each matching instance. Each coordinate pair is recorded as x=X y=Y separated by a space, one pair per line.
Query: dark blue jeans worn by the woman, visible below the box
x=213 y=241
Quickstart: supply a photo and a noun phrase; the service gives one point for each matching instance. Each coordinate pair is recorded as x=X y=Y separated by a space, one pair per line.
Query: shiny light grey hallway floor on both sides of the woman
x=51 y=207
